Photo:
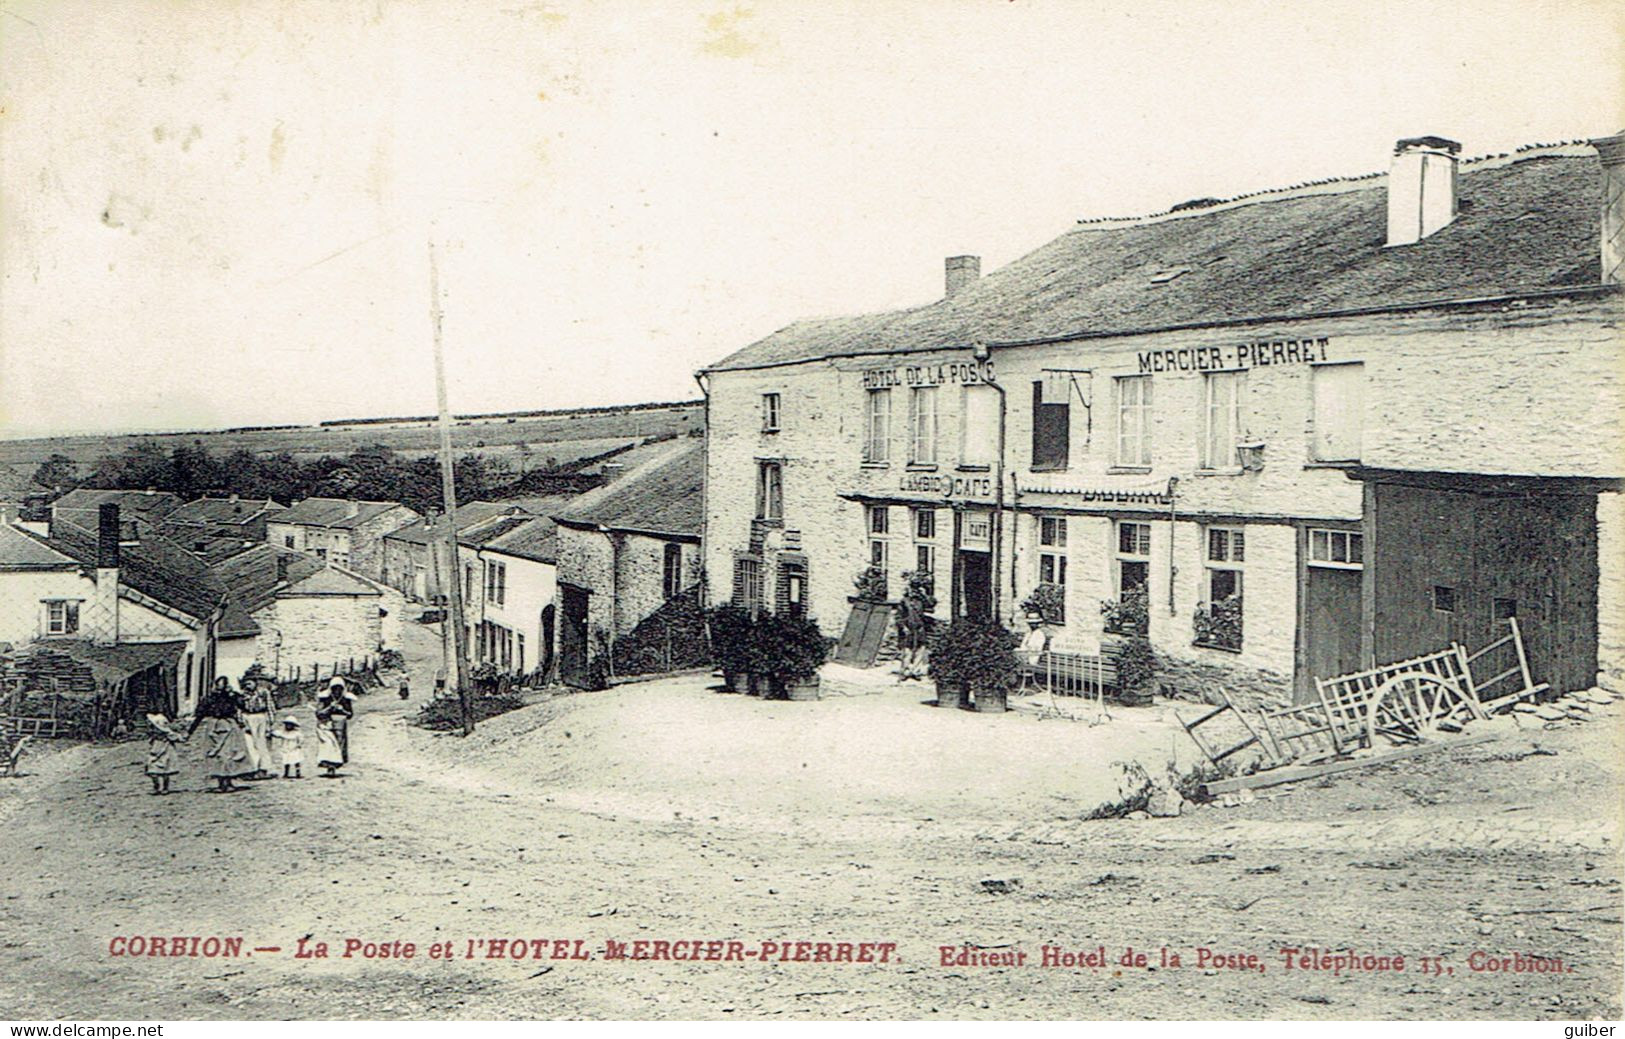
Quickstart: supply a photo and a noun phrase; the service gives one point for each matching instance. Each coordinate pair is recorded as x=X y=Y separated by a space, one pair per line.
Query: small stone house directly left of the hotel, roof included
x=625 y=550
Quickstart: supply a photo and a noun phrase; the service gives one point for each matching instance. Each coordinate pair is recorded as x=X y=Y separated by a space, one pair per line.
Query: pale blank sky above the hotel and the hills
x=217 y=212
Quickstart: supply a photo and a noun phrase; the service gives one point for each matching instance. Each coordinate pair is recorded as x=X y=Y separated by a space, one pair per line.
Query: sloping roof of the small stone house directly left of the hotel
x=664 y=497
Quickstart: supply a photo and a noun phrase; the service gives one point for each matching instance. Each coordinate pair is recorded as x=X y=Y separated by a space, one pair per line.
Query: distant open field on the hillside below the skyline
x=563 y=435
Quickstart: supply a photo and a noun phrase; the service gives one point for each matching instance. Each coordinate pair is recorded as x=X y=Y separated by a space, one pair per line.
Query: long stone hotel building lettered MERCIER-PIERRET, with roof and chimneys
x=1314 y=428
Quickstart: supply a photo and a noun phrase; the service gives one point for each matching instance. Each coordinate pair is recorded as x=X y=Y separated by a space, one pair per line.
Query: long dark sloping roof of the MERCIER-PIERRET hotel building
x=1527 y=224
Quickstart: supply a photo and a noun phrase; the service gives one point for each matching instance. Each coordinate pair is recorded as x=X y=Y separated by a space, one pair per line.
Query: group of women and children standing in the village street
x=240 y=736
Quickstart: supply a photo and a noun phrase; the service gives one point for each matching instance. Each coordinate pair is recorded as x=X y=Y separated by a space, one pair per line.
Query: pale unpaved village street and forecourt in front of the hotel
x=630 y=815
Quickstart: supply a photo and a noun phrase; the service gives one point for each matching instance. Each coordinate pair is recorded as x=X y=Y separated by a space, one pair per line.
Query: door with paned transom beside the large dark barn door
x=1330 y=624
